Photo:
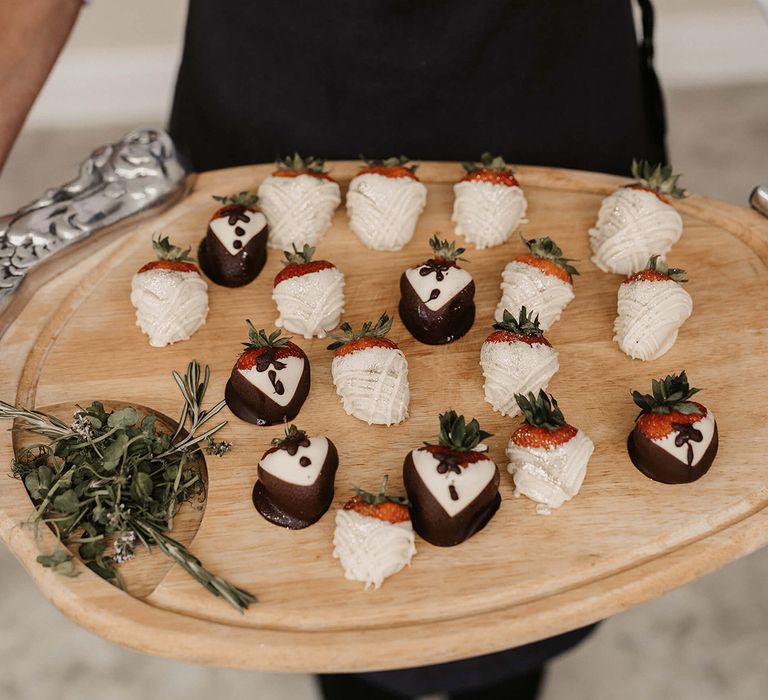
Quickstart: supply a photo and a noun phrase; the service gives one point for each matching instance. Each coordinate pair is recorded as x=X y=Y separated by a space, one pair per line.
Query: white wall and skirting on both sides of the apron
x=119 y=65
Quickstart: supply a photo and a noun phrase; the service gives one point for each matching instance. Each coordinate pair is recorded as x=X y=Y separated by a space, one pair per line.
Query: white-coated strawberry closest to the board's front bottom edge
x=374 y=538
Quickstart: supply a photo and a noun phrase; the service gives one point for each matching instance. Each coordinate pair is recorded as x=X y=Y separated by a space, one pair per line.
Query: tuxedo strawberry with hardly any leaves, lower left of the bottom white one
x=296 y=478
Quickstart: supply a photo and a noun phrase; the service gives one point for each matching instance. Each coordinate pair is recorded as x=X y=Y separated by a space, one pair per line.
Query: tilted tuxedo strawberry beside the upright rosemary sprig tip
x=270 y=380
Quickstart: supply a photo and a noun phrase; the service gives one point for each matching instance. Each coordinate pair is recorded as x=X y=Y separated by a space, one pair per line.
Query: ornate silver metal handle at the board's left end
x=119 y=180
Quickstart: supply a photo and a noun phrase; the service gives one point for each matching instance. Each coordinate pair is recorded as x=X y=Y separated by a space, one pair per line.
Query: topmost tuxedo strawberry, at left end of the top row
x=234 y=249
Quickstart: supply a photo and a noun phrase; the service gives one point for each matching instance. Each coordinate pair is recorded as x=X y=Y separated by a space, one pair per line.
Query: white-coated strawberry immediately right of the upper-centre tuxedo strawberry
x=541 y=280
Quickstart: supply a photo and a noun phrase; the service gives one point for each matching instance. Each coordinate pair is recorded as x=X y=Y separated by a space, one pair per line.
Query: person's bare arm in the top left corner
x=32 y=34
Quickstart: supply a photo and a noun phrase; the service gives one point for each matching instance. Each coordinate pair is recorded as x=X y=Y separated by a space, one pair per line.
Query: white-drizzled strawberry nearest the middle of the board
x=371 y=373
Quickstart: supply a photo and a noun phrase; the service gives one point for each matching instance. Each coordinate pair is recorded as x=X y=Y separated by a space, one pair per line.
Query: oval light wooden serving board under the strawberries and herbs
x=624 y=539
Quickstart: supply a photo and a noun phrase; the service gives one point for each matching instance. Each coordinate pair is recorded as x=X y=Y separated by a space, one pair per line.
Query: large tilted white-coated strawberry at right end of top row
x=637 y=221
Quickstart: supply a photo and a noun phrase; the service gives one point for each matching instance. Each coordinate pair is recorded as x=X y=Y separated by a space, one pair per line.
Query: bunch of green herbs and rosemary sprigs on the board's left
x=109 y=482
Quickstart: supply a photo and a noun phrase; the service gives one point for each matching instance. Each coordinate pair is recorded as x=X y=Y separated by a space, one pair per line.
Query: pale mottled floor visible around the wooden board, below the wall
x=705 y=641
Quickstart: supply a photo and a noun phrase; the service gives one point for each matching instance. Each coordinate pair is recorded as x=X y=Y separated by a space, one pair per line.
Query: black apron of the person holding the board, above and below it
x=537 y=81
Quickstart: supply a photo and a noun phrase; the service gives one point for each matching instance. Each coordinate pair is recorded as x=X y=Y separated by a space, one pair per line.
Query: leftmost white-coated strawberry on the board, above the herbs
x=169 y=294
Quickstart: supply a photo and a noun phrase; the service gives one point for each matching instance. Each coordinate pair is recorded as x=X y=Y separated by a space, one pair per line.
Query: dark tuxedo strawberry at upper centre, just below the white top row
x=437 y=298
